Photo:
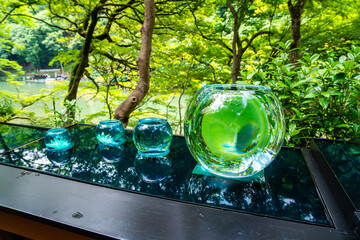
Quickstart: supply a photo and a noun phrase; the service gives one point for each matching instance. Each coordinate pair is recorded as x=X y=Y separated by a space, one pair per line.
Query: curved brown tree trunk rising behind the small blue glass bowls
x=124 y=110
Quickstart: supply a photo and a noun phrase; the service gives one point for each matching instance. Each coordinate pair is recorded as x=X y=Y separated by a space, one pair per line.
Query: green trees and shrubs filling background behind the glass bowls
x=133 y=55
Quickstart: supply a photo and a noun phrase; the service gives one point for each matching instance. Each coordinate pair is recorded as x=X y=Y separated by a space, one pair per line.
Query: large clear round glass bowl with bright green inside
x=234 y=130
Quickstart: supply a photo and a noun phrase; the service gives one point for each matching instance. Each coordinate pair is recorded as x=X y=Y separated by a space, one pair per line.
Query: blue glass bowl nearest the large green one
x=152 y=137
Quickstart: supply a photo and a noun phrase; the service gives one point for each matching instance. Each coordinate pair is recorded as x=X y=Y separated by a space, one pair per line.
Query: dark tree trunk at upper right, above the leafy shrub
x=295 y=13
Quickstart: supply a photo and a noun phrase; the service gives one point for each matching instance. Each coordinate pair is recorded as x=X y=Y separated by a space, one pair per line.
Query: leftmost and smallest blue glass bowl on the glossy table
x=58 y=139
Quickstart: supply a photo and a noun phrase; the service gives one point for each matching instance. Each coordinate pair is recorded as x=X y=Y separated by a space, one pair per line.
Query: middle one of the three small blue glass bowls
x=110 y=132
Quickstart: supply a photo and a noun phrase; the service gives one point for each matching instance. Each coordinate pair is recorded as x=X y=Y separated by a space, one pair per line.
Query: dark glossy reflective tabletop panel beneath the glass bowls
x=286 y=189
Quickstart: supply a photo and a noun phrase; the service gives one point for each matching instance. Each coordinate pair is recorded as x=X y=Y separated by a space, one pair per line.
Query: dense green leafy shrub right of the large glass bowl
x=320 y=98
